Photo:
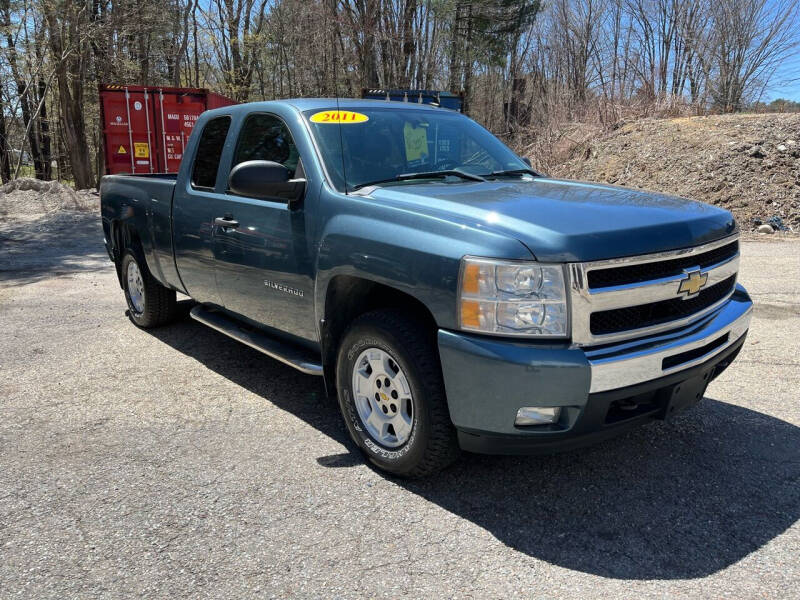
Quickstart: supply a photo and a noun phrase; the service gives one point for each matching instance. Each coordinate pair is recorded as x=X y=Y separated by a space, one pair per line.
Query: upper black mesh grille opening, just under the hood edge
x=612 y=276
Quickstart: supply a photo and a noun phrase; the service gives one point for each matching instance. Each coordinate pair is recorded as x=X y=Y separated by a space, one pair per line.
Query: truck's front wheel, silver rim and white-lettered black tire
x=392 y=397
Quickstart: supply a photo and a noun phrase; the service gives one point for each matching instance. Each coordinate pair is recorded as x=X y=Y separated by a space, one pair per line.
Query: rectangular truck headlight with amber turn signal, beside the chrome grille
x=513 y=298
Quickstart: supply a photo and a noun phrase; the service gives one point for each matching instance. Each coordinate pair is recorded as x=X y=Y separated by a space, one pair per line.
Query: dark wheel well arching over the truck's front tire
x=350 y=297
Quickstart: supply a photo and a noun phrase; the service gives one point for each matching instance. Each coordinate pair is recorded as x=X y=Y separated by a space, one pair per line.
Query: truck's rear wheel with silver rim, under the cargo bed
x=150 y=304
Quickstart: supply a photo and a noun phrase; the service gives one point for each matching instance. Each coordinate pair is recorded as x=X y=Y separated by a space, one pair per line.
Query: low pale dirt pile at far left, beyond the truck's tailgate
x=26 y=199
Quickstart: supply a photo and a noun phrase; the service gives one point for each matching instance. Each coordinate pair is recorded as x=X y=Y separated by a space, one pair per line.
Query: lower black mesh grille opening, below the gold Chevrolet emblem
x=656 y=313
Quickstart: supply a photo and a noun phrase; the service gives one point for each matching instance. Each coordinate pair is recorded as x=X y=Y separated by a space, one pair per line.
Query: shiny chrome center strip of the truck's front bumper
x=629 y=363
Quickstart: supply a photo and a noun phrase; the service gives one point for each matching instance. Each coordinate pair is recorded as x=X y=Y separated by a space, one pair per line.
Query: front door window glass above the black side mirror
x=266 y=137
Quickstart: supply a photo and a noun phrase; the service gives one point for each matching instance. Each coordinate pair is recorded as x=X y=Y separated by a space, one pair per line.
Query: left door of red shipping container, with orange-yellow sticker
x=128 y=131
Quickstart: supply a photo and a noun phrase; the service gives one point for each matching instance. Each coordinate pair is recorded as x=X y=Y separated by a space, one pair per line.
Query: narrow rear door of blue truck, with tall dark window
x=194 y=206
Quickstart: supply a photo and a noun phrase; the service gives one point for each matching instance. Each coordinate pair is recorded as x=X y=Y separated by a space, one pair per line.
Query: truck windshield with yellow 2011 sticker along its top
x=381 y=144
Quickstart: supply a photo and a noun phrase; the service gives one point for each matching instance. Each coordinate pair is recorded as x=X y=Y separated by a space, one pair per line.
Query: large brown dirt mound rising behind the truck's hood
x=748 y=164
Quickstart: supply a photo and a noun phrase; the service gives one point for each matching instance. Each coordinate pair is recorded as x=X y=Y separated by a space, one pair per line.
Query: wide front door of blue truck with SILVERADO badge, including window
x=263 y=264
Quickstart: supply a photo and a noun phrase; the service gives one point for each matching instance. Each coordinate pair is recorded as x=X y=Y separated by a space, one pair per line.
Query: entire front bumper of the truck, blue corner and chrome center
x=602 y=391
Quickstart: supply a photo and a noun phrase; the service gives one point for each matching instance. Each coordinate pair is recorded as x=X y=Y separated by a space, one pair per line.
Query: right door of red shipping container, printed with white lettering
x=176 y=115
